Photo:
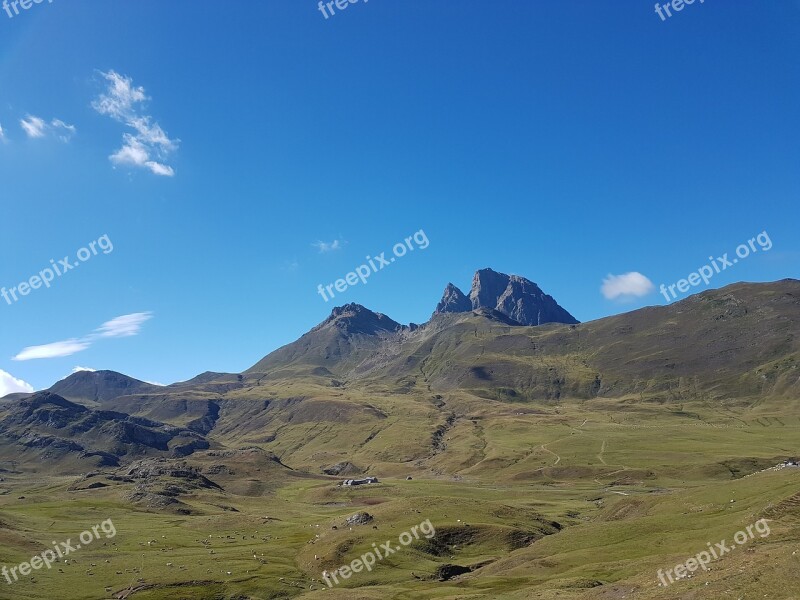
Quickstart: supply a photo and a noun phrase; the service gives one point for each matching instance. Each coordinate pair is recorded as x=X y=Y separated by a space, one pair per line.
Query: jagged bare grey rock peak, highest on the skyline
x=516 y=297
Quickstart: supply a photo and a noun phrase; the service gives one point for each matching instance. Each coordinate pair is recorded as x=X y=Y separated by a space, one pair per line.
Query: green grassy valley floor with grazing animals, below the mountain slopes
x=568 y=503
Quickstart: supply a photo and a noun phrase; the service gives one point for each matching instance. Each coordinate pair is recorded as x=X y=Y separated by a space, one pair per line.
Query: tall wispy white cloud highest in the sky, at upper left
x=149 y=146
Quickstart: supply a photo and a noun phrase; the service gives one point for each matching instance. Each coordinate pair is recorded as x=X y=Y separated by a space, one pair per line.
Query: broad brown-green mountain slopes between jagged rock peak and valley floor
x=333 y=394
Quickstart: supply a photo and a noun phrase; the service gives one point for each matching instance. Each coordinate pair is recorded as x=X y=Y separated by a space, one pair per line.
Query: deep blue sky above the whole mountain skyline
x=563 y=141
